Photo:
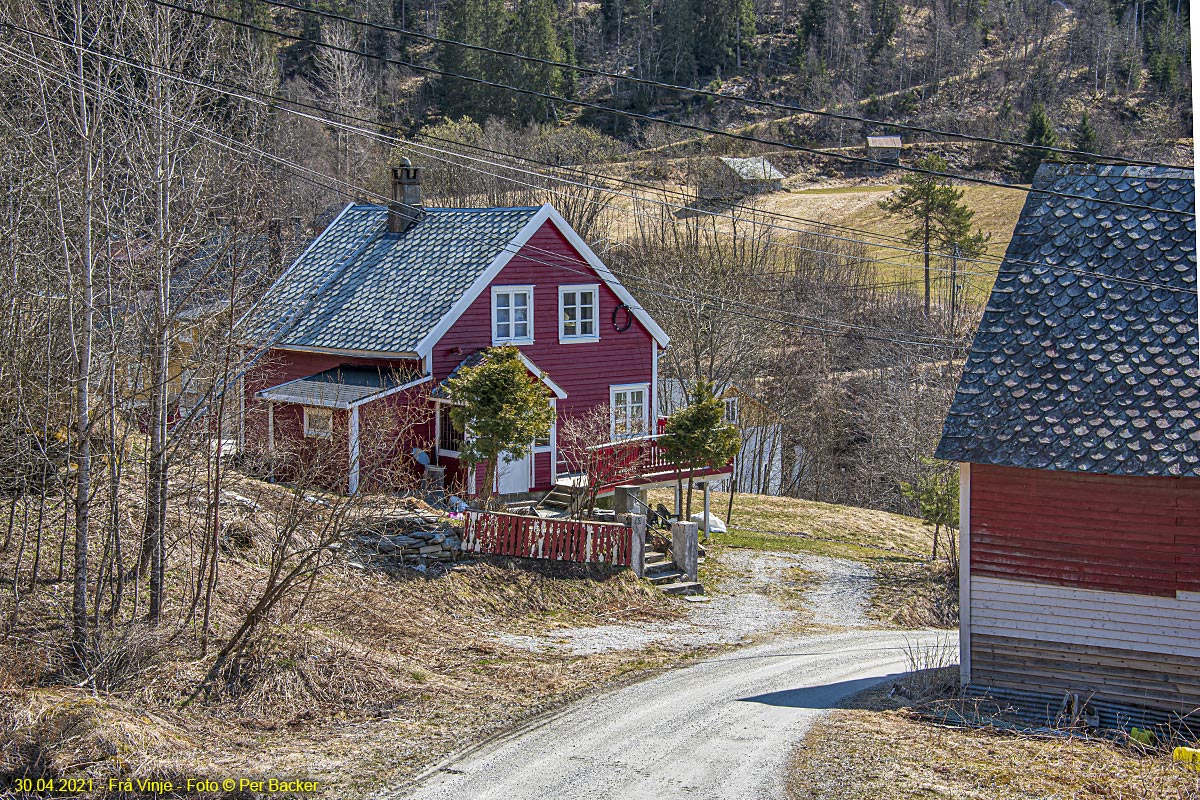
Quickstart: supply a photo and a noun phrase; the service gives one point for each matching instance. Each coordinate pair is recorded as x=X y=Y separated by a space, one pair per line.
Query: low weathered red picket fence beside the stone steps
x=560 y=540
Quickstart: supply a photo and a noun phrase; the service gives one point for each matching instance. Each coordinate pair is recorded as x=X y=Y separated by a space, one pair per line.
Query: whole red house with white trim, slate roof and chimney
x=388 y=302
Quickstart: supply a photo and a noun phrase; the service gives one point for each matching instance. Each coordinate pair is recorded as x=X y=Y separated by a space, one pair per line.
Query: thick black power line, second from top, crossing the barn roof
x=647 y=118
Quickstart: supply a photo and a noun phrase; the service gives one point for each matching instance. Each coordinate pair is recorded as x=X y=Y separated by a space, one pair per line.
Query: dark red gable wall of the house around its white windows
x=584 y=371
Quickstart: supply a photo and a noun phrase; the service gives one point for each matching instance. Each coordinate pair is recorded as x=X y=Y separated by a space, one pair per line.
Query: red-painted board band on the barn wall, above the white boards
x=1125 y=534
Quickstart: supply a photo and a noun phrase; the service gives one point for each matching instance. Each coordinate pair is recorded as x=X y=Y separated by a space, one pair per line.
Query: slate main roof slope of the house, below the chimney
x=361 y=288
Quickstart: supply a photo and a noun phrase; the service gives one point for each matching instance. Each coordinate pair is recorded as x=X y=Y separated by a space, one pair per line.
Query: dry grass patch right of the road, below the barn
x=895 y=755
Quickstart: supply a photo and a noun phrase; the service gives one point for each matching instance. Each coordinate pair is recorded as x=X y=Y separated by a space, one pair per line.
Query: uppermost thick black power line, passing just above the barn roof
x=709 y=93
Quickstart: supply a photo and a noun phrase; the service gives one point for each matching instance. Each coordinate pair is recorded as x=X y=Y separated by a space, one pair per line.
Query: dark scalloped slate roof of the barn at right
x=1072 y=369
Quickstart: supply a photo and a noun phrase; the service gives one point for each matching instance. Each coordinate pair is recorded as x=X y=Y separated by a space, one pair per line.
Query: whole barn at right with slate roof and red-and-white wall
x=1077 y=424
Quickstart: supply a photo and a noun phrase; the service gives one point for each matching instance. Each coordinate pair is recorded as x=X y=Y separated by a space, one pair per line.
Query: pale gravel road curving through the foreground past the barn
x=719 y=729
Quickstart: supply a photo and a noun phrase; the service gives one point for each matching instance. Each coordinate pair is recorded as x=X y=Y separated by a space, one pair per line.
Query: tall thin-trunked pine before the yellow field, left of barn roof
x=940 y=218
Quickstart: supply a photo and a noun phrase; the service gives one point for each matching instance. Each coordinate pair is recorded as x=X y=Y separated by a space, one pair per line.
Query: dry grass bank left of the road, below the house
x=374 y=678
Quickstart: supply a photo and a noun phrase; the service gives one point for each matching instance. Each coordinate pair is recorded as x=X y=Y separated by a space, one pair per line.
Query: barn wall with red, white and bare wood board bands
x=1085 y=584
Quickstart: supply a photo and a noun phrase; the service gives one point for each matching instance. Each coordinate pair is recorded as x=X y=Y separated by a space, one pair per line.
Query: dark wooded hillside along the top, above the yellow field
x=969 y=67
